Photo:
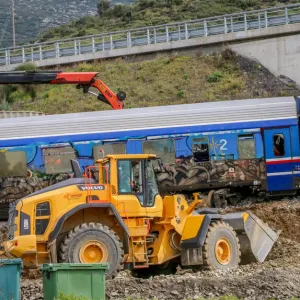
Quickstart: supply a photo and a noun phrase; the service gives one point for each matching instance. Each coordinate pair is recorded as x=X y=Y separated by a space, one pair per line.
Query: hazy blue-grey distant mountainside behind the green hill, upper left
x=35 y=16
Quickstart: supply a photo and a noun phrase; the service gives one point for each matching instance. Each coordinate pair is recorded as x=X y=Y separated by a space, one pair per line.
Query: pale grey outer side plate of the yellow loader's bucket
x=261 y=236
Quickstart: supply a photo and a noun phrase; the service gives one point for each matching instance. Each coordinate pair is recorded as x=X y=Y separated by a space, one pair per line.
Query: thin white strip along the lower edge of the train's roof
x=139 y=129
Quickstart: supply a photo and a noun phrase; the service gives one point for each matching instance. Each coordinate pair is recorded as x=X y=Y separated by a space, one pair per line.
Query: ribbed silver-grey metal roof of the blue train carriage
x=151 y=117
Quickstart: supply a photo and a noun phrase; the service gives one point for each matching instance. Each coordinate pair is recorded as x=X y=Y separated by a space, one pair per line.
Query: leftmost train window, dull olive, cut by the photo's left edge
x=13 y=163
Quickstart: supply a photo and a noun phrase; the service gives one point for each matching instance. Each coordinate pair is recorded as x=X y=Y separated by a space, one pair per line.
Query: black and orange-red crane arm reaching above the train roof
x=83 y=80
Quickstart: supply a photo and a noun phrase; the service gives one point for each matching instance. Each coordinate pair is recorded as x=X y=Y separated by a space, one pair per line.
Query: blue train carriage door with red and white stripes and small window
x=279 y=166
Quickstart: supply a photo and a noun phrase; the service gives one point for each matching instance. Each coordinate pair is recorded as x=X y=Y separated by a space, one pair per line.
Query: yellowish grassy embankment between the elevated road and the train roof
x=166 y=80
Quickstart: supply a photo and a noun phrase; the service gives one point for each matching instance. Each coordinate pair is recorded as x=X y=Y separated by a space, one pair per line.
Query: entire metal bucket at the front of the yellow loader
x=256 y=238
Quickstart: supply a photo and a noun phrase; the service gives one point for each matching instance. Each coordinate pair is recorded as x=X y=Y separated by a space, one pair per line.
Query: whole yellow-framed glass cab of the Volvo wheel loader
x=134 y=184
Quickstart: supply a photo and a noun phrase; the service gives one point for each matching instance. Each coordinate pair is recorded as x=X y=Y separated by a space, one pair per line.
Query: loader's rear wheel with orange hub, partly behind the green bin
x=93 y=243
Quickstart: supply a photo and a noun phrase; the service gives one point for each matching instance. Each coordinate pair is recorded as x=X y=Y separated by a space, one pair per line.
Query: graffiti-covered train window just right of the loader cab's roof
x=164 y=149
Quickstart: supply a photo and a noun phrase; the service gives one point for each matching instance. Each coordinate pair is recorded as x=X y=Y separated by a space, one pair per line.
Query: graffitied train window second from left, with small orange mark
x=57 y=160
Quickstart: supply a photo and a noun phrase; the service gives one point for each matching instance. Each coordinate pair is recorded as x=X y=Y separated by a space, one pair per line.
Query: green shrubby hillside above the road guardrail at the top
x=154 y=12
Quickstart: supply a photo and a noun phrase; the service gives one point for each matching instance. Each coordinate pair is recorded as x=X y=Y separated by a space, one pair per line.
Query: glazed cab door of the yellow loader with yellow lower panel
x=137 y=187
